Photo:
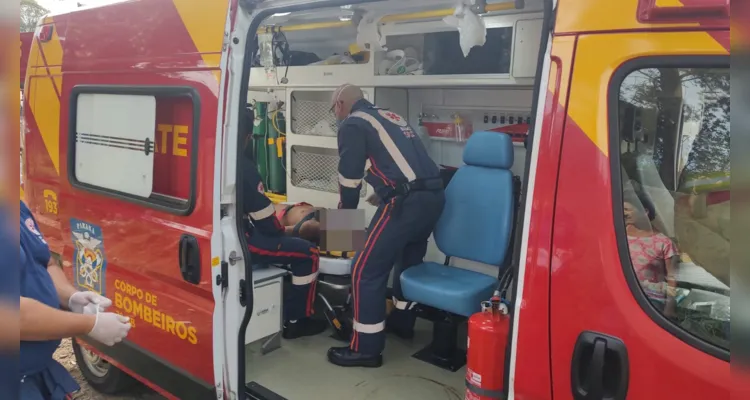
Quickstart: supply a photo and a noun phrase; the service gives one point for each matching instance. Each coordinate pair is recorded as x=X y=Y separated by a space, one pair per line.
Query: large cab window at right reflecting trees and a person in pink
x=672 y=128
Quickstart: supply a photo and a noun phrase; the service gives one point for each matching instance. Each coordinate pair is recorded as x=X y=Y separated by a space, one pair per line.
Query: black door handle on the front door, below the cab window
x=599 y=369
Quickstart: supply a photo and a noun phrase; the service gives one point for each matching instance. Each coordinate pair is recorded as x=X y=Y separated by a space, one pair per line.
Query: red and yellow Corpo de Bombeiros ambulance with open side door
x=619 y=272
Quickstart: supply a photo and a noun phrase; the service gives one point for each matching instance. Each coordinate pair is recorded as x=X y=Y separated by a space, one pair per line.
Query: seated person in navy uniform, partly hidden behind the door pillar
x=269 y=243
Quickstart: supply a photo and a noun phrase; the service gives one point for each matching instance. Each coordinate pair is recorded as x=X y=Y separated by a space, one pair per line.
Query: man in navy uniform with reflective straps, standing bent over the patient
x=409 y=194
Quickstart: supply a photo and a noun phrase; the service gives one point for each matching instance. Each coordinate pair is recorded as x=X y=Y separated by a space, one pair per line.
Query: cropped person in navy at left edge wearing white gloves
x=52 y=309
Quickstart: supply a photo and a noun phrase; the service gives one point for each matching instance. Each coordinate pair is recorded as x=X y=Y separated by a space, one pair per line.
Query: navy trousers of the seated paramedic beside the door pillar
x=303 y=259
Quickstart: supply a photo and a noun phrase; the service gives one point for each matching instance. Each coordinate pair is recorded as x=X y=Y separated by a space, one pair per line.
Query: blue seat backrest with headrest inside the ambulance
x=477 y=220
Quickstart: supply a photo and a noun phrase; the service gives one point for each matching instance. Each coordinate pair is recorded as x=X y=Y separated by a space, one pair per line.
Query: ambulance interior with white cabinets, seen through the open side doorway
x=407 y=57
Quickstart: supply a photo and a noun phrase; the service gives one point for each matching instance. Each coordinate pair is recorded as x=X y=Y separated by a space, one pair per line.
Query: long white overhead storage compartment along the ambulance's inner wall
x=318 y=50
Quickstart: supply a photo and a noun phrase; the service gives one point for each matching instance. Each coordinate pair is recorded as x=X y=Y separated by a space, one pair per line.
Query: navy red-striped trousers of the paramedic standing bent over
x=398 y=233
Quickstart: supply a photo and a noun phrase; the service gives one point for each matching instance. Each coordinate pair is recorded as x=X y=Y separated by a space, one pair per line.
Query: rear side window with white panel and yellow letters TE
x=135 y=143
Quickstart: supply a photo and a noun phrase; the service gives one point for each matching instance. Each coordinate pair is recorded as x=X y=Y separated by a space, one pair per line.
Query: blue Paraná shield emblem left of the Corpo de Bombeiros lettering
x=88 y=258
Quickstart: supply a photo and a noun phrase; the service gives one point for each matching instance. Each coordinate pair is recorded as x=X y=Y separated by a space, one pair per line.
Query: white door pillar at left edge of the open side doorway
x=237 y=295
